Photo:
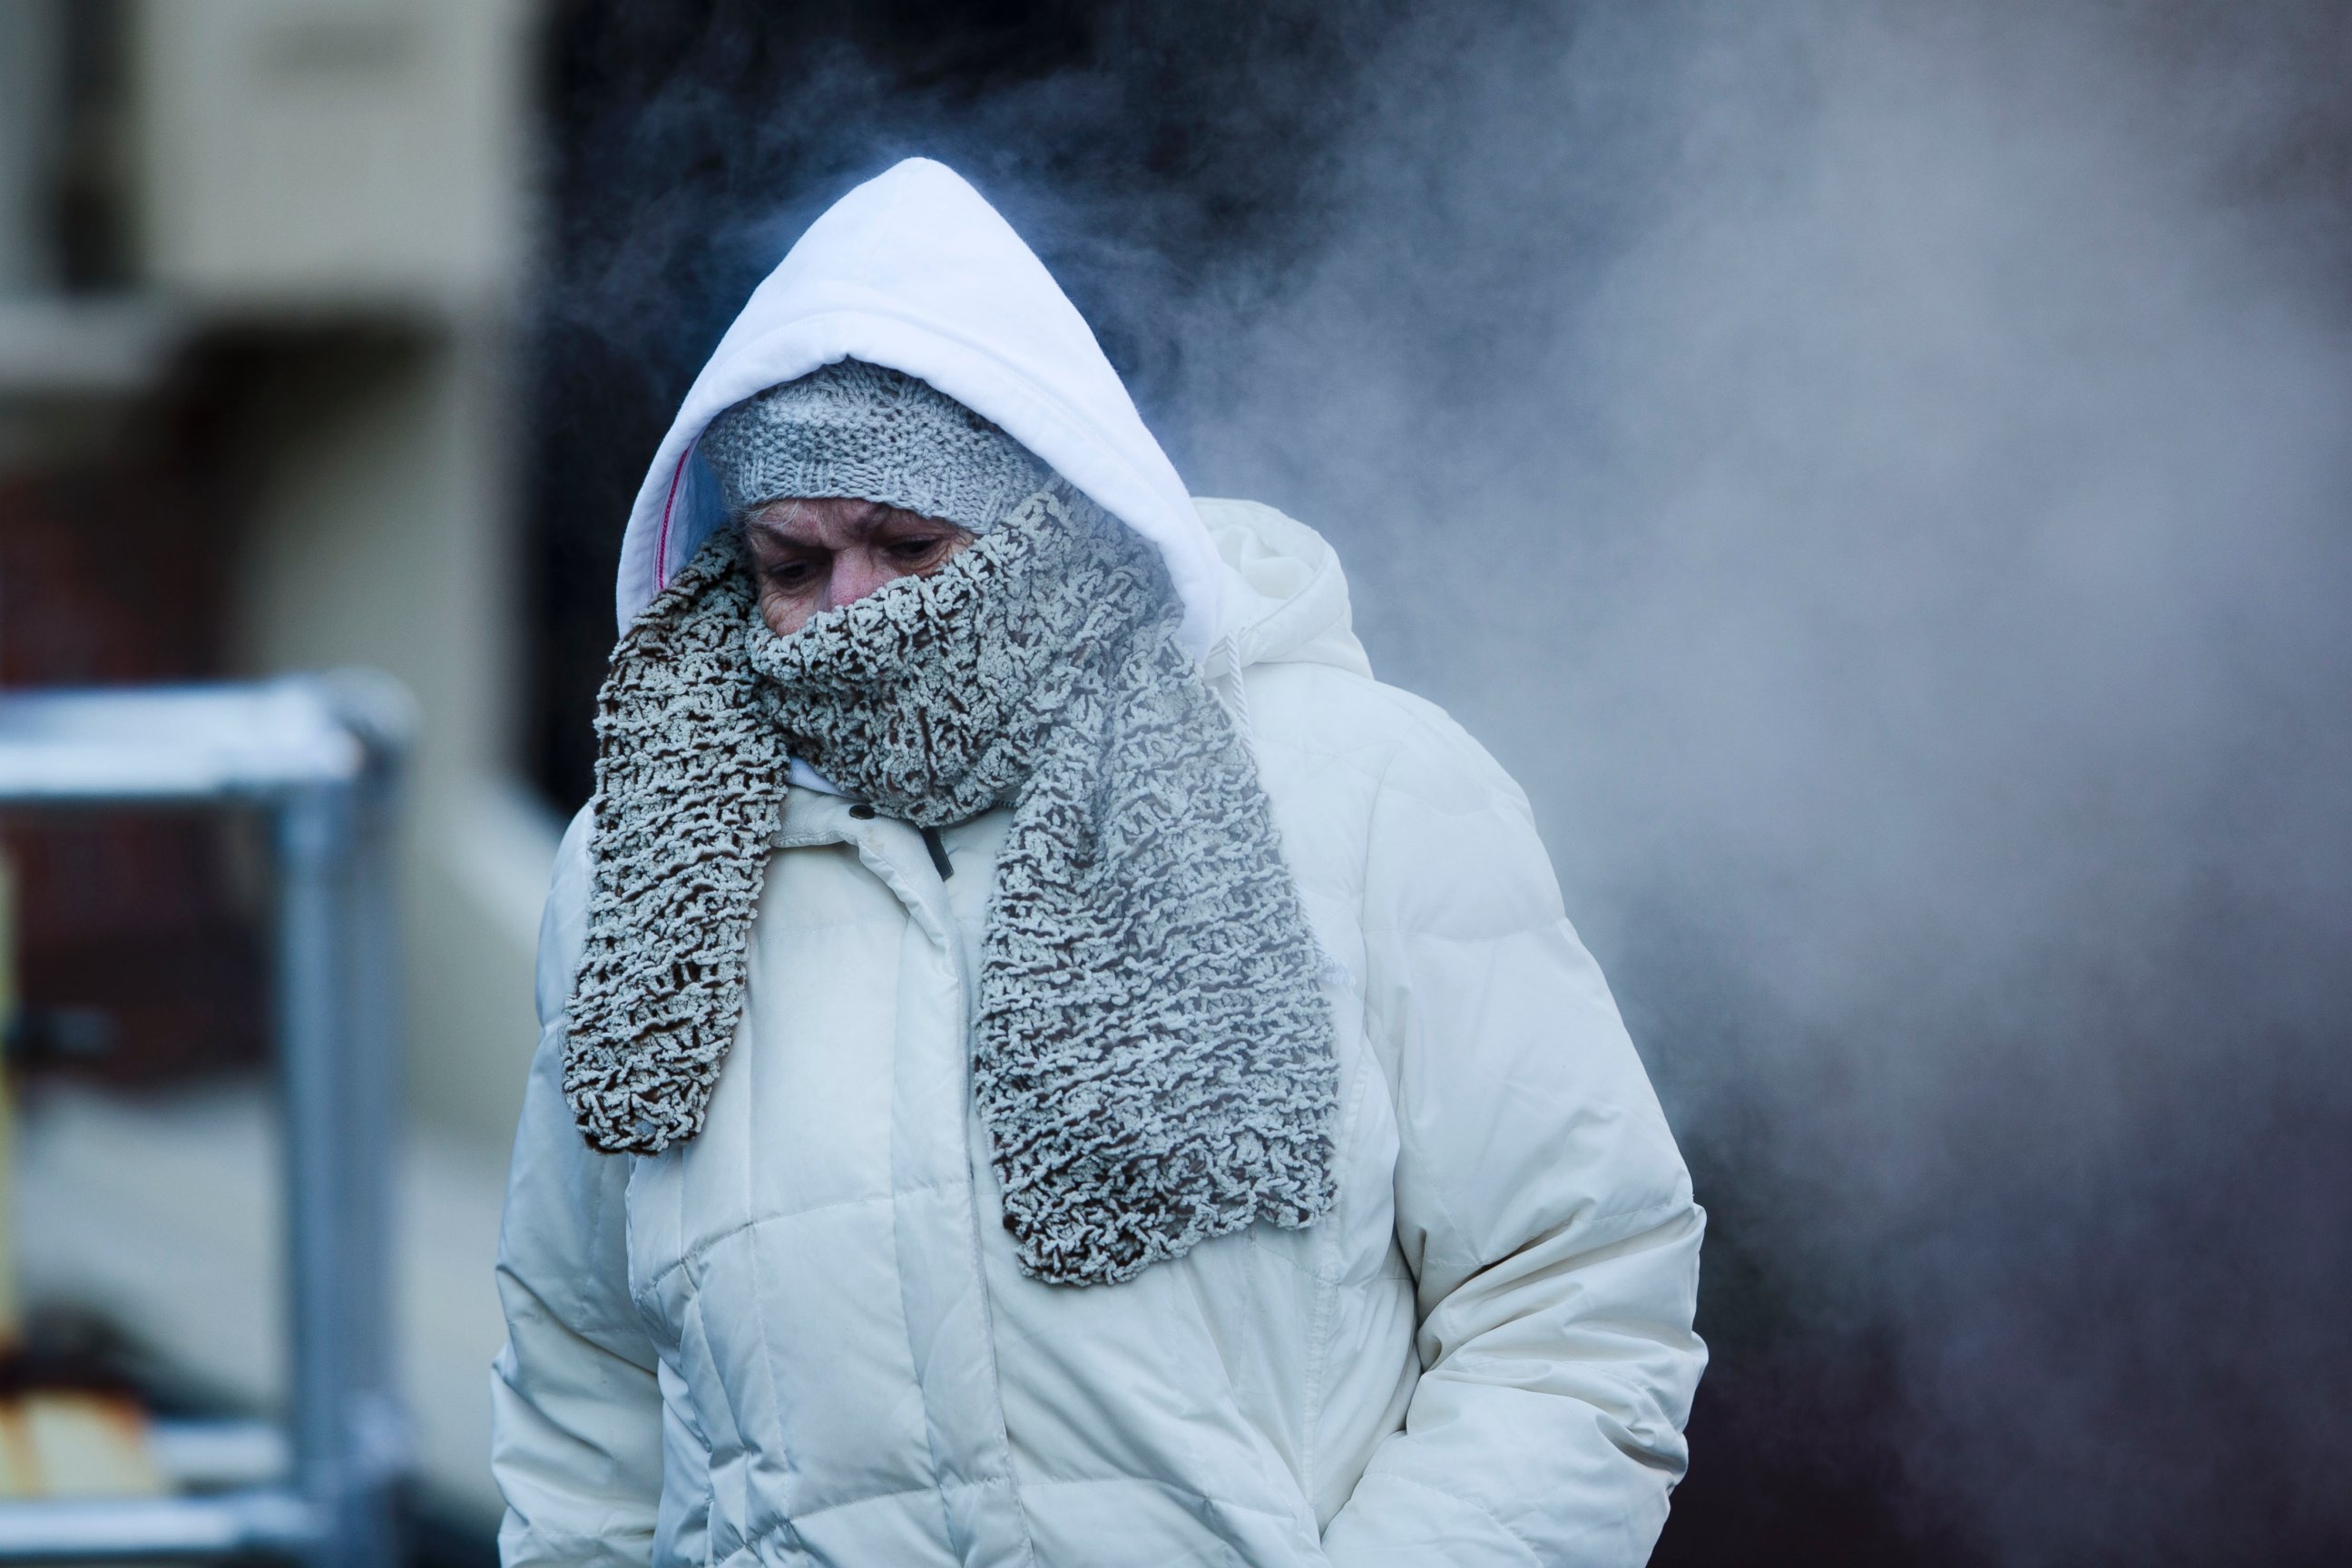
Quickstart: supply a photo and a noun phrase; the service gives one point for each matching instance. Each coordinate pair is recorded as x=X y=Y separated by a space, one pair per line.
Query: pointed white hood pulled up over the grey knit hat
x=921 y=274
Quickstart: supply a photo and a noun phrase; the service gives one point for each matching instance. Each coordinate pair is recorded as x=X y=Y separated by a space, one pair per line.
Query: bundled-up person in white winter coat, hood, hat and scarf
x=1045 y=1059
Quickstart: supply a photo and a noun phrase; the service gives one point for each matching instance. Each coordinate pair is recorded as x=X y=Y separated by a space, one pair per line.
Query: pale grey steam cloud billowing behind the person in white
x=1880 y=478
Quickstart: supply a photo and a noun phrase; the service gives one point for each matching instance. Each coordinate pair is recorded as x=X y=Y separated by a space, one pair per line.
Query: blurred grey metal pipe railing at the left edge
x=316 y=758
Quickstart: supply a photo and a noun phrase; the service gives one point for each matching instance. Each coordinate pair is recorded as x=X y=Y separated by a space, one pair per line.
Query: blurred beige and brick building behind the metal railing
x=260 y=267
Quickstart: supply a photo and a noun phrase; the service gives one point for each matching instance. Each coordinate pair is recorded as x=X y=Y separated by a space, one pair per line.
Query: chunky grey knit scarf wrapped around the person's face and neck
x=1154 y=1052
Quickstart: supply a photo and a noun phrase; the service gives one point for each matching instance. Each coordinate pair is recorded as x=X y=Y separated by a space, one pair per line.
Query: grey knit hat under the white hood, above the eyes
x=857 y=429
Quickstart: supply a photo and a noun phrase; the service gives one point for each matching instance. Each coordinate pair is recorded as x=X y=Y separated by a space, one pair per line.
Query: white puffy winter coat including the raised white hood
x=803 y=1336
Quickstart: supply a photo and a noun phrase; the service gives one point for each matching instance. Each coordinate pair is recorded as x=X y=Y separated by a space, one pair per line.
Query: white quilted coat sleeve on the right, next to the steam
x=1542 y=1202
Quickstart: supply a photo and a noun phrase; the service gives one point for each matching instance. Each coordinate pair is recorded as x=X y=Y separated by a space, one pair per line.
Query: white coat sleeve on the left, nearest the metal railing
x=575 y=1395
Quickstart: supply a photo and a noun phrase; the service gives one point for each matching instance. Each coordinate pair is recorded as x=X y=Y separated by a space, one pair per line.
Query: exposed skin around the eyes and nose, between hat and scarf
x=810 y=556
